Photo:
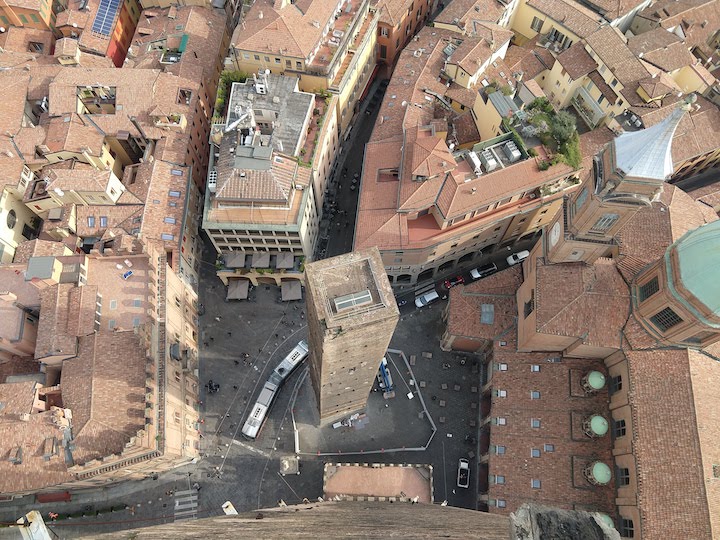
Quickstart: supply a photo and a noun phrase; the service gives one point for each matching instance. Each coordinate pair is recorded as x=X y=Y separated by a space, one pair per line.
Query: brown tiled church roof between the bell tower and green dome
x=593 y=303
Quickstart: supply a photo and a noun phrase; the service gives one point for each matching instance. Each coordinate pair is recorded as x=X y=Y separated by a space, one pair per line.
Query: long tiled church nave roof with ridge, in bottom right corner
x=666 y=419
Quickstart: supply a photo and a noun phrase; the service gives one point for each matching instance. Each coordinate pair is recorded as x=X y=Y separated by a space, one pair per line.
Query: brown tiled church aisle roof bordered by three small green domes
x=561 y=409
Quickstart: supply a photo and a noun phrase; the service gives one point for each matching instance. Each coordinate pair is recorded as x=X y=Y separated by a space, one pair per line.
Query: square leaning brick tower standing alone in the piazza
x=352 y=315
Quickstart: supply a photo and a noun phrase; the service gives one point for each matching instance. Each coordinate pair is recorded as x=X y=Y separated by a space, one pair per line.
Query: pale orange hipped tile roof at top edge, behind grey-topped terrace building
x=289 y=29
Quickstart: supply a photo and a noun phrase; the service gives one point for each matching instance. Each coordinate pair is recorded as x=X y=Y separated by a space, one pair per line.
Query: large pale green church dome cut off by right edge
x=698 y=256
